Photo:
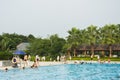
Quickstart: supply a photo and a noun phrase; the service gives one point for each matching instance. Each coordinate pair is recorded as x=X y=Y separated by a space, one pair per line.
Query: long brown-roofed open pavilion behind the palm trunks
x=99 y=49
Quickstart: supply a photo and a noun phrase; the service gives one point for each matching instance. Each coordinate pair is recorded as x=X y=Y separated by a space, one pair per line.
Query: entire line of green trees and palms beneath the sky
x=54 y=45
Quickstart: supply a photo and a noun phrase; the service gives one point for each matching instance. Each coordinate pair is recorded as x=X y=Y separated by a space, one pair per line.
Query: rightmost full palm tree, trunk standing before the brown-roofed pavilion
x=108 y=36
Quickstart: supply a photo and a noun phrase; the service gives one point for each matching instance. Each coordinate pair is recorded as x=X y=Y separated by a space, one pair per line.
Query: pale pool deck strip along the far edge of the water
x=49 y=63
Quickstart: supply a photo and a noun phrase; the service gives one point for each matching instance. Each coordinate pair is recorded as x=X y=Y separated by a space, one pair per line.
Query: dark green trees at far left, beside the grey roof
x=10 y=41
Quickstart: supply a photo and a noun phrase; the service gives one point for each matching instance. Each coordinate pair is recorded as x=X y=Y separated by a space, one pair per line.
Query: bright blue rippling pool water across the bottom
x=65 y=72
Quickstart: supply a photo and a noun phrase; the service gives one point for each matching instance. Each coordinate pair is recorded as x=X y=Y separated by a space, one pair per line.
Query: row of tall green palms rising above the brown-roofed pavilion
x=92 y=35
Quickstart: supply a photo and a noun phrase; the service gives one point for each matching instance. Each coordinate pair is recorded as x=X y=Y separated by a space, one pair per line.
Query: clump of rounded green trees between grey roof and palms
x=51 y=47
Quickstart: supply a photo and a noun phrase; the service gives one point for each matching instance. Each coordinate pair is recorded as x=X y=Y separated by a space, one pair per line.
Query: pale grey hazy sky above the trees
x=47 y=17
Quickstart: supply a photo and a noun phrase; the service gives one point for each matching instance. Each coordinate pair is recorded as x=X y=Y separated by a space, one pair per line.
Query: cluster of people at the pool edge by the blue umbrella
x=16 y=61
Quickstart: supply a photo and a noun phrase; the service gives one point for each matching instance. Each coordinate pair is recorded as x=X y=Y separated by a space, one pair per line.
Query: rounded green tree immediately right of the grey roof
x=39 y=47
